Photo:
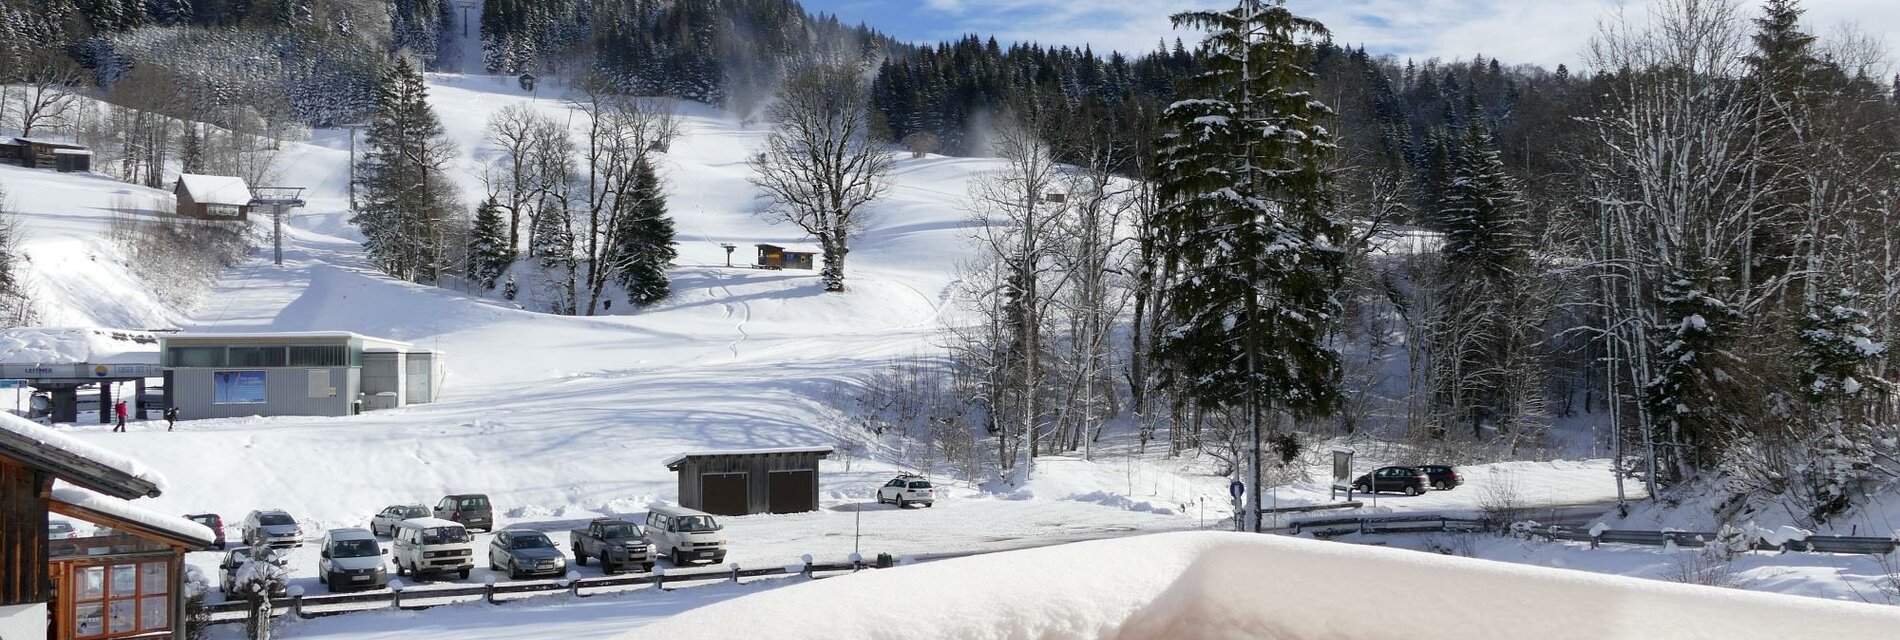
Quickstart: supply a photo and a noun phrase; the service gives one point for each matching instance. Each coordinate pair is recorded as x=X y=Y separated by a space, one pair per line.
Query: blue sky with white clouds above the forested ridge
x=1517 y=31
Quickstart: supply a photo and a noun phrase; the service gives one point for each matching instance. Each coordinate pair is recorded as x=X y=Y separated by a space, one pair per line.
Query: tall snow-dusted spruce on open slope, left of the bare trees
x=408 y=202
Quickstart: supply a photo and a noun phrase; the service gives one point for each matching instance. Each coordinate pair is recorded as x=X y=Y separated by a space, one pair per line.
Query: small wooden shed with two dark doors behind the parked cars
x=751 y=481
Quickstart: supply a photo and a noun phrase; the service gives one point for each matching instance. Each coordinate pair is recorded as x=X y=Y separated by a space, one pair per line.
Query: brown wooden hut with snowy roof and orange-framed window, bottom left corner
x=121 y=580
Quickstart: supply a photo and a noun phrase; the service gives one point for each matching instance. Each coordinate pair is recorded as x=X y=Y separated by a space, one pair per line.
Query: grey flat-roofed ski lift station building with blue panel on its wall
x=295 y=375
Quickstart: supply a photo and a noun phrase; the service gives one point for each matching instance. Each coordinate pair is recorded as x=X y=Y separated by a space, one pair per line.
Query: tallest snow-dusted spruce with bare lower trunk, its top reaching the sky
x=1253 y=235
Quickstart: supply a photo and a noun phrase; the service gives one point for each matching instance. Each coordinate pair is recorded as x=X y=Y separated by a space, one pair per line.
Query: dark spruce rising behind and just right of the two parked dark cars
x=1483 y=337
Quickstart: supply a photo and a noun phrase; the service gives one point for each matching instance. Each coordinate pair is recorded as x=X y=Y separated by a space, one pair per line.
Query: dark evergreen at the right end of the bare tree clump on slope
x=645 y=242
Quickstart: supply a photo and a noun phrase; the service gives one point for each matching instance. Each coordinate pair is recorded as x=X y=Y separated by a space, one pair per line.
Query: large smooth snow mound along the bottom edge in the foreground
x=1240 y=586
